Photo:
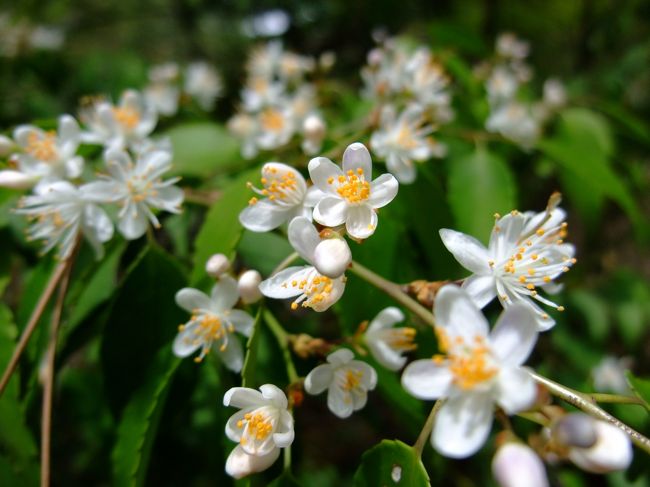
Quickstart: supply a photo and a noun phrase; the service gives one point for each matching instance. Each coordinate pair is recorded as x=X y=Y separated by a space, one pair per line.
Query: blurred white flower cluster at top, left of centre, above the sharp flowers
x=278 y=102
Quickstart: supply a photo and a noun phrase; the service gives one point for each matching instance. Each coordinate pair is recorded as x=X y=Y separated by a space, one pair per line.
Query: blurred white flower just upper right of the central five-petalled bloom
x=403 y=139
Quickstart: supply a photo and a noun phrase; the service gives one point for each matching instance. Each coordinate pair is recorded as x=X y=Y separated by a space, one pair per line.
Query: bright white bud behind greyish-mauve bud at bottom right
x=612 y=451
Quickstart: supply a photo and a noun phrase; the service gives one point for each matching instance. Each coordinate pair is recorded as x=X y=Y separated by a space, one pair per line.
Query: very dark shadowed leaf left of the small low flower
x=144 y=318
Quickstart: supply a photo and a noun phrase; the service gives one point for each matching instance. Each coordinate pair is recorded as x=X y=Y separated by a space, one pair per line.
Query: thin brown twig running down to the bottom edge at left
x=48 y=378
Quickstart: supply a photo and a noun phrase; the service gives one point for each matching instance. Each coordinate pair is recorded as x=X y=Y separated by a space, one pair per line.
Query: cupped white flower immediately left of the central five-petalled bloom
x=285 y=197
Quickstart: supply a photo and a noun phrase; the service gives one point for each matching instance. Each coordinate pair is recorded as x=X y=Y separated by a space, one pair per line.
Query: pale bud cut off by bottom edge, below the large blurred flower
x=515 y=462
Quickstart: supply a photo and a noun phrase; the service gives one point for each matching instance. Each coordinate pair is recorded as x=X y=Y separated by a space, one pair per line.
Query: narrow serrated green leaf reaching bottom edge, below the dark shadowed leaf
x=137 y=429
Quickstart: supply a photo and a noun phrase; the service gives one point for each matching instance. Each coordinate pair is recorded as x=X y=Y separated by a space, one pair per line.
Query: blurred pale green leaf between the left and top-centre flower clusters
x=202 y=149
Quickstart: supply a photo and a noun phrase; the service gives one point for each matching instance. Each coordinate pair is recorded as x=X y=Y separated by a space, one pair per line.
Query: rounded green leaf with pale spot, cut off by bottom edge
x=391 y=463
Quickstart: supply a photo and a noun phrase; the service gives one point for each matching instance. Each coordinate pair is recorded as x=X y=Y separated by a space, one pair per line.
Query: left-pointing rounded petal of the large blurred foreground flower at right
x=425 y=379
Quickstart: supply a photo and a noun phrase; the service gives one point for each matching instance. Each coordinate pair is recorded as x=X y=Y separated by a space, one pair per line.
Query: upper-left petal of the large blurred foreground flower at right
x=457 y=314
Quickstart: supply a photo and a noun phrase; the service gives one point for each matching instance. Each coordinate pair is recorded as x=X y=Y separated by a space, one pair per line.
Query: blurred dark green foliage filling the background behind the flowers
x=115 y=369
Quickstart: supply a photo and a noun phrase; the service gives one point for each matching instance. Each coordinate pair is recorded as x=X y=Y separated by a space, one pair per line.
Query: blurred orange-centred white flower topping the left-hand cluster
x=119 y=126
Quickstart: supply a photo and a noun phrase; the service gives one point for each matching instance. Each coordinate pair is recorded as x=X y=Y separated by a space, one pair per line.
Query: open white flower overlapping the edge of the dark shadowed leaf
x=213 y=324
